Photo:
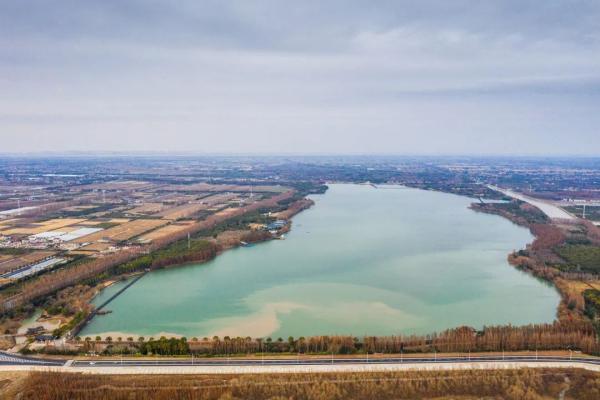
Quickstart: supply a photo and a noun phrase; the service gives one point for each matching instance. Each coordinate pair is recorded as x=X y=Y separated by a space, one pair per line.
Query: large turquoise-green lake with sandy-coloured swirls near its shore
x=361 y=261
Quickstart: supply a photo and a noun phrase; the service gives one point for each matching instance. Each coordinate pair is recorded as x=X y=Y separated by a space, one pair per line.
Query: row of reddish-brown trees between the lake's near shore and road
x=574 y=335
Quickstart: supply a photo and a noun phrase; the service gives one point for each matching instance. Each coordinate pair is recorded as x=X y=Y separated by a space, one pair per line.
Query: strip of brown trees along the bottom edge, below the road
x=512 y=384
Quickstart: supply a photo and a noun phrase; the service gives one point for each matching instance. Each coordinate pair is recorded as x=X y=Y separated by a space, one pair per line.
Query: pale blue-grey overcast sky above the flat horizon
x=369 y=77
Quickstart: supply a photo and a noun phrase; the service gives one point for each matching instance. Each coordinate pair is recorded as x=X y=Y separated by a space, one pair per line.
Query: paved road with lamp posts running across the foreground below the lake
x=7 y=359
